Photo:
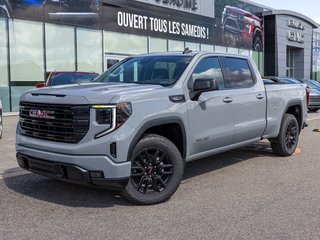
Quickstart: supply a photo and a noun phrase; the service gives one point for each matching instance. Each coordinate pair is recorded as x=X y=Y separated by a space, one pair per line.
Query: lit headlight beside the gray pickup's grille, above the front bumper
x=112 y=116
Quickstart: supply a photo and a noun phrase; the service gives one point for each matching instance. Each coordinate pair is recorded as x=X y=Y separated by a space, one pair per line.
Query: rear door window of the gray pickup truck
x=237 y=73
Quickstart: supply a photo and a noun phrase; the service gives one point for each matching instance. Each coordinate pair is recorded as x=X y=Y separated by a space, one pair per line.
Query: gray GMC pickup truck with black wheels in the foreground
x=138 y=123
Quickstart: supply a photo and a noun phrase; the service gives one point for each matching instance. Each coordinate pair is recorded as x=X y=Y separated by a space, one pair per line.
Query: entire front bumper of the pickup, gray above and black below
x=74 y=168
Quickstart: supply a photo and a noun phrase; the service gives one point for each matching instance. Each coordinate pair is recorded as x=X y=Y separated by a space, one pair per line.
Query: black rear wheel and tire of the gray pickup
x=287 y=141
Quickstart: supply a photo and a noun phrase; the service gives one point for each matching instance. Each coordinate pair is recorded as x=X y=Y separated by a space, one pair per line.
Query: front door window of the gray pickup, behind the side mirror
x=209 y=68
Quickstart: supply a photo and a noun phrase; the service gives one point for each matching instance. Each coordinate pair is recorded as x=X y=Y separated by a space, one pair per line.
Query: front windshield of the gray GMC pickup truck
x=160 y=70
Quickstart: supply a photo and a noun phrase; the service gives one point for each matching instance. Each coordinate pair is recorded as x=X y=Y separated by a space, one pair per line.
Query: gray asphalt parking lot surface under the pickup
x=248 y=193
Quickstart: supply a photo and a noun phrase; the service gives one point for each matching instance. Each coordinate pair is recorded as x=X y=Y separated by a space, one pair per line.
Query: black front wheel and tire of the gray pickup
x=157 y=169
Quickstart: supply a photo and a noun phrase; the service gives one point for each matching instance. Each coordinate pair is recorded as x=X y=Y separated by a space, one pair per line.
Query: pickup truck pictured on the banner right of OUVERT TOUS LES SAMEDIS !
x=241 y=28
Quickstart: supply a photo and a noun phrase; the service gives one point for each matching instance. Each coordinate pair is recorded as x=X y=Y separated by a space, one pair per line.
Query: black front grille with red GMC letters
x=54 y=122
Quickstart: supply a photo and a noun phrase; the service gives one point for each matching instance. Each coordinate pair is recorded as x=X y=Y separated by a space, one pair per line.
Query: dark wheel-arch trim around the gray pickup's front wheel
x=154 y=123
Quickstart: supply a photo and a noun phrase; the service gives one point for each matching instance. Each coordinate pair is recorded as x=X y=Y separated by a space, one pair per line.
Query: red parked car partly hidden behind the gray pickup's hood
x=63 y=78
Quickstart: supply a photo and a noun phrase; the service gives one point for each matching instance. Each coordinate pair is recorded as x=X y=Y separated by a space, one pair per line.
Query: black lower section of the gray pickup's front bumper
x=68 y=173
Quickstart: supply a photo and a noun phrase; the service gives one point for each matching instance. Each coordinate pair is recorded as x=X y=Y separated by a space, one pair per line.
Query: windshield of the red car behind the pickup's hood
x=70 y=78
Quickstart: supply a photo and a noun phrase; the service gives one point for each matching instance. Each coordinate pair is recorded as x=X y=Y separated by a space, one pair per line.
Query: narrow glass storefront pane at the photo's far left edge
x=4 y=83
